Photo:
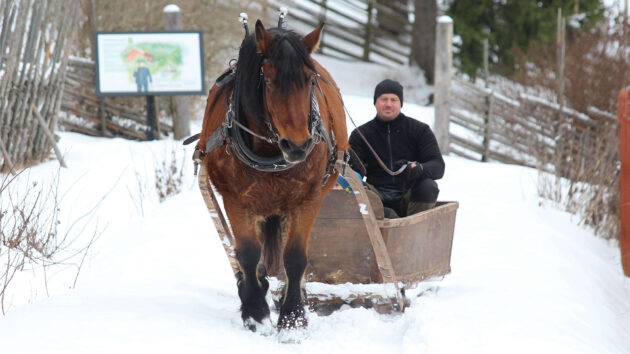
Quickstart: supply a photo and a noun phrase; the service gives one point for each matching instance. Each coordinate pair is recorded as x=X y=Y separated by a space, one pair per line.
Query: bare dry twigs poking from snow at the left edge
x=30 y=240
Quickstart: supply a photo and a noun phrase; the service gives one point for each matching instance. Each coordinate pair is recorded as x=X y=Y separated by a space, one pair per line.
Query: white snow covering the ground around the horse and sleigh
x=525 y=278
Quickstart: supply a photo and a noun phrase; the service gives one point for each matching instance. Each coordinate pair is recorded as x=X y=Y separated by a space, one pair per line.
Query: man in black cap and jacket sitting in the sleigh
x=398 y=140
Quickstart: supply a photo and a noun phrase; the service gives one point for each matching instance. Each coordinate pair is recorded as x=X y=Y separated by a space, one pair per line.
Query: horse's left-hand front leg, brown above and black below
x=251 y=282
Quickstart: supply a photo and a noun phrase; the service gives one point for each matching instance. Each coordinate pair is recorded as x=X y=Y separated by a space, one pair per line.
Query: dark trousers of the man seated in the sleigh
x=418 y=191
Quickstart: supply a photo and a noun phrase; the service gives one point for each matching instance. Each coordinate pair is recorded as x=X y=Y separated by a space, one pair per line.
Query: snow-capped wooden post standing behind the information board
x=180 y=104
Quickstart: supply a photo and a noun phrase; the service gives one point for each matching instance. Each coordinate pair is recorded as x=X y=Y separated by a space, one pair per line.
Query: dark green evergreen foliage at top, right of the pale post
x=511 y=24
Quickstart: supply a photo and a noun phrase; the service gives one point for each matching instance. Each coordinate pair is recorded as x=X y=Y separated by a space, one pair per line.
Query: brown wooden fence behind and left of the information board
x=100 y=116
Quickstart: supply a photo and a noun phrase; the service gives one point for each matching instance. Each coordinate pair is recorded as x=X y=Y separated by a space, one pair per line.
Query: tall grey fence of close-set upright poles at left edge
x=35 y=37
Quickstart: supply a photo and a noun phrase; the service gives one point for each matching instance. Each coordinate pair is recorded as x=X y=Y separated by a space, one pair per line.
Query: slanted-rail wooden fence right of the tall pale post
x=527 y=131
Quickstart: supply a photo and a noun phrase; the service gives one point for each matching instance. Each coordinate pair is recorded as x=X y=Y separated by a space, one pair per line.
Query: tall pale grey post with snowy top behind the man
x=443 y=65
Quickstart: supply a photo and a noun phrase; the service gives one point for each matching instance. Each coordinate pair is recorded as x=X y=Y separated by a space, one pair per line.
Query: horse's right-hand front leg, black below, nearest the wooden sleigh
x=292 y=313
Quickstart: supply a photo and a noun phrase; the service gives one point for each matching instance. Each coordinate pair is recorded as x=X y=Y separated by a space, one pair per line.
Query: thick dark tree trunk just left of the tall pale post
x=423 y=45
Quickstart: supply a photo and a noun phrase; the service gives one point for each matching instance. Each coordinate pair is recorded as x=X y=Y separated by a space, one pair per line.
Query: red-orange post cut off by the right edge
x=624 y=179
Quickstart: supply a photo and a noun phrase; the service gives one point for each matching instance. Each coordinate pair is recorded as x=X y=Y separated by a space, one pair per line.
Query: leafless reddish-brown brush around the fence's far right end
x=587 y=166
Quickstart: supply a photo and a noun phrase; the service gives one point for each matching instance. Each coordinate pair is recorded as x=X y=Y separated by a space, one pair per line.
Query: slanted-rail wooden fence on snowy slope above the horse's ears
x=364 y=30
